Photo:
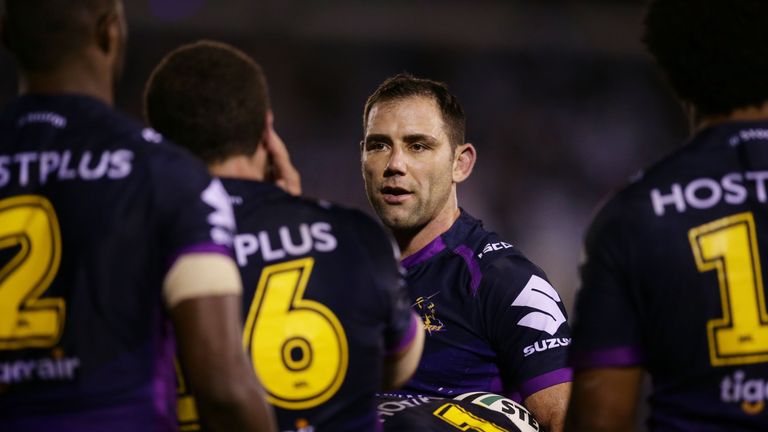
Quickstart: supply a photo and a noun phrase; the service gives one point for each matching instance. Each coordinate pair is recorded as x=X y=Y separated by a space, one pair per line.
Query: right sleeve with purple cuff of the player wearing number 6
x=400 y=323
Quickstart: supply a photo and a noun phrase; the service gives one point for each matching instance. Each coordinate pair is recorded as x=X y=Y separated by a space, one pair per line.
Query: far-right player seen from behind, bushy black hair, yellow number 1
x=673 y=278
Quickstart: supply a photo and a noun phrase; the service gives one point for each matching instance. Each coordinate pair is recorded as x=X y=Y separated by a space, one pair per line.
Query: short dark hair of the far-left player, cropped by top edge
x=42 y=33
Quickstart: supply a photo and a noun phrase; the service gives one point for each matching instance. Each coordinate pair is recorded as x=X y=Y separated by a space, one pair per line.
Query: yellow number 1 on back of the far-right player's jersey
x=729 y=245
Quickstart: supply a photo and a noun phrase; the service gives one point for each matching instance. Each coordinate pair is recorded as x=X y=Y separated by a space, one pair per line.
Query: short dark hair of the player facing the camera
x=405 y=85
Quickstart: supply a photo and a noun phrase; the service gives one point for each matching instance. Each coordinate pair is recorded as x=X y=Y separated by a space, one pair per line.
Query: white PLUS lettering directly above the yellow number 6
x=316 y=236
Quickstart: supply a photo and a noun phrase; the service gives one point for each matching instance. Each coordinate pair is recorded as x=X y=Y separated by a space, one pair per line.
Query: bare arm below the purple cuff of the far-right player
x=604 y=399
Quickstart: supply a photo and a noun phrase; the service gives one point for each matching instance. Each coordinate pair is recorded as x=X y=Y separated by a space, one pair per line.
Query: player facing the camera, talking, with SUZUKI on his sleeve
x=494 y=323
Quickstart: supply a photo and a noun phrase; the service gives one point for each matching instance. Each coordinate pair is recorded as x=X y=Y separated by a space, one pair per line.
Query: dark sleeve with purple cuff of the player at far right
x=606 y=327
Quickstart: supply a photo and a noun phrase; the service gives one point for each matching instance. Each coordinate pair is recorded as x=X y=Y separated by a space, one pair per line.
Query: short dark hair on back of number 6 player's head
x=209 y=97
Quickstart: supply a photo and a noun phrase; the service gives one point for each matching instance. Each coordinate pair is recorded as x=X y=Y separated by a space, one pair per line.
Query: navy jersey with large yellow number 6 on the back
x=324 y=302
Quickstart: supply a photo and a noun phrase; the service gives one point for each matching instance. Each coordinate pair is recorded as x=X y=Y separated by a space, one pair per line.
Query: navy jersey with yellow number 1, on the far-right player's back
x=673 y=282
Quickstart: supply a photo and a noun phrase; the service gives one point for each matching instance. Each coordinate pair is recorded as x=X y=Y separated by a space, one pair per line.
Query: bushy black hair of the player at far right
x=713 y=52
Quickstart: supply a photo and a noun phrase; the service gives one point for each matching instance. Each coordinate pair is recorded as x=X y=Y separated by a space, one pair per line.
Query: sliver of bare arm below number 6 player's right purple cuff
x=401 y=363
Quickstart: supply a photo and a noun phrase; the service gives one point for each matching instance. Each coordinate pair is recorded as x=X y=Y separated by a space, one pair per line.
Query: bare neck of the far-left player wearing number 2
x=76 y=77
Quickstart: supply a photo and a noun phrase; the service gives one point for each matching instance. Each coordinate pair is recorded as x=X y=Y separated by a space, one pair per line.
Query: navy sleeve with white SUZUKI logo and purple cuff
x=526 y=323
